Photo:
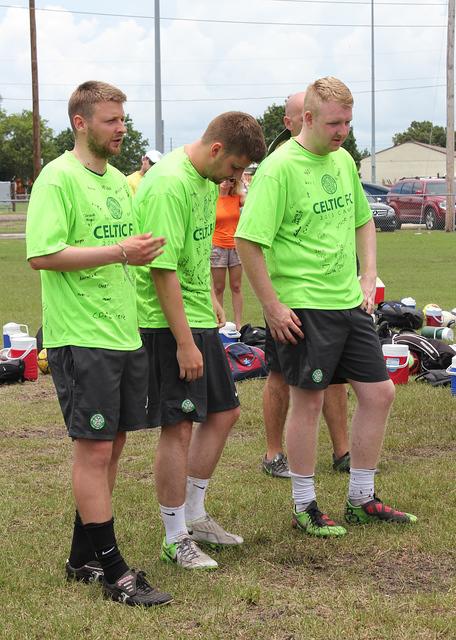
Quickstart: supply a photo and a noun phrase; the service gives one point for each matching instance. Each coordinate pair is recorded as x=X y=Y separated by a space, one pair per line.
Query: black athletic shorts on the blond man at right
x=337 y=346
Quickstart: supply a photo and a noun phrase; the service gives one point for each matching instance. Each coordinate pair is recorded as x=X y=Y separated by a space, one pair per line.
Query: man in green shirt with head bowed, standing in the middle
x=190 y=380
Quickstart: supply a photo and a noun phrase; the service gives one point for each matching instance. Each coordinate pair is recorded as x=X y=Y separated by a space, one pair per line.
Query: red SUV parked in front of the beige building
x=419 y=200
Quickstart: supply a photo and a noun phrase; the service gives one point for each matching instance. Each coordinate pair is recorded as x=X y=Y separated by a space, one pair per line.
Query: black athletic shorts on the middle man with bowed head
x=172 y=400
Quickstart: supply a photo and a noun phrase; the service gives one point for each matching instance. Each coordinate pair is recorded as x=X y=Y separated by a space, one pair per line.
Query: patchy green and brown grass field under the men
x=377 y=583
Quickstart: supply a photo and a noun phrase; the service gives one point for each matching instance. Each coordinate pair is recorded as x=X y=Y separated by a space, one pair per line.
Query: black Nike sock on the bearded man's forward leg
x=103 y=539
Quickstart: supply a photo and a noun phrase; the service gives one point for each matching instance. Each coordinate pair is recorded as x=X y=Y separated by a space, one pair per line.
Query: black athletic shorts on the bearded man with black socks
x=101 y=391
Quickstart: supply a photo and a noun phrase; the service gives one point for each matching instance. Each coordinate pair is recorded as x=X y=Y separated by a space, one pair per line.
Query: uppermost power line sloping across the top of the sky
x=219 y=21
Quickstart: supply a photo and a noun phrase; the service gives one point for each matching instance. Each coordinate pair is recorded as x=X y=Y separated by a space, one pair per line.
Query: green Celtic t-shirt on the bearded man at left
x=72 y=206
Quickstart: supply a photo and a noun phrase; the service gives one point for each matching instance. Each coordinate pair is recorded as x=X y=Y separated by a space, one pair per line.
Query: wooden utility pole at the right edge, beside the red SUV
x=449 y=214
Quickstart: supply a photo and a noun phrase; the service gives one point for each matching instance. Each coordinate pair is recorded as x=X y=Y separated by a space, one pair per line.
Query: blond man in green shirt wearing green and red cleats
x=306 y=209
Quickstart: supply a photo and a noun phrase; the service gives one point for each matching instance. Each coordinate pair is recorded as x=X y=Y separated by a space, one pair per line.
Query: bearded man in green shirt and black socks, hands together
x=81 y=235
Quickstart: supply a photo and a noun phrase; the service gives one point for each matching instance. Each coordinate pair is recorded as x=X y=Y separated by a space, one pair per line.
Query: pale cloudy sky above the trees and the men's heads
x=210 y=67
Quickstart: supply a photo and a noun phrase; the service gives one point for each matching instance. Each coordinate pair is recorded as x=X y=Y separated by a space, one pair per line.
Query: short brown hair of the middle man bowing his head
x=240 y=134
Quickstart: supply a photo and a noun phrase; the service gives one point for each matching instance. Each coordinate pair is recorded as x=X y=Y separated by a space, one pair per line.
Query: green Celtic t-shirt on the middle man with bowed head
x=174 y=201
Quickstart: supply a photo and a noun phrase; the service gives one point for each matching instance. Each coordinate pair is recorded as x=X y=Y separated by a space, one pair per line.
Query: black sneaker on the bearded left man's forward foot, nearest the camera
x=133 y=589
